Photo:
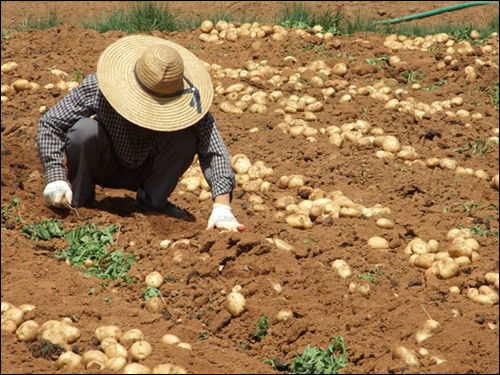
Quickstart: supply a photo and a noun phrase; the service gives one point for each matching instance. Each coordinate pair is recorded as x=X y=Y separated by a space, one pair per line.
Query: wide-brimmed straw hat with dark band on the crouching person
x=154 y=83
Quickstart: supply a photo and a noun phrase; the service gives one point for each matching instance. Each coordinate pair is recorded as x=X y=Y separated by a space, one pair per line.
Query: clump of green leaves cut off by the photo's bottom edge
x=321 y=361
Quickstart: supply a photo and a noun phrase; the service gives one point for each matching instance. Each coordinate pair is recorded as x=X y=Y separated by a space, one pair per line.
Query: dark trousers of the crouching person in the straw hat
x=91 y=161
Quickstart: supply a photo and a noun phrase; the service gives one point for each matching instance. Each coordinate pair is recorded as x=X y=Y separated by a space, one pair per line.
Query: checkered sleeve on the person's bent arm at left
x=52 y=127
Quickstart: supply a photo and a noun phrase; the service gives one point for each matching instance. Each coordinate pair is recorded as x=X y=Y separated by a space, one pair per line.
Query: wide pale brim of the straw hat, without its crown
x=115 y=75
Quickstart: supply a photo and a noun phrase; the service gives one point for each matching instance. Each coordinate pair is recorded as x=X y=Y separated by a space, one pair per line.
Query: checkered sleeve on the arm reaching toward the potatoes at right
x=214 y=158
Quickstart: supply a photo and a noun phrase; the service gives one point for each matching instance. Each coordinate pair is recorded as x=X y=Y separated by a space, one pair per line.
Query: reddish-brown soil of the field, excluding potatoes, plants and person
x=396 y=307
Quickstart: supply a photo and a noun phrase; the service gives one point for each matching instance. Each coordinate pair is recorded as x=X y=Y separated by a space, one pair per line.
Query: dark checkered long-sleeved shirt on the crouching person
x=131 y=143
